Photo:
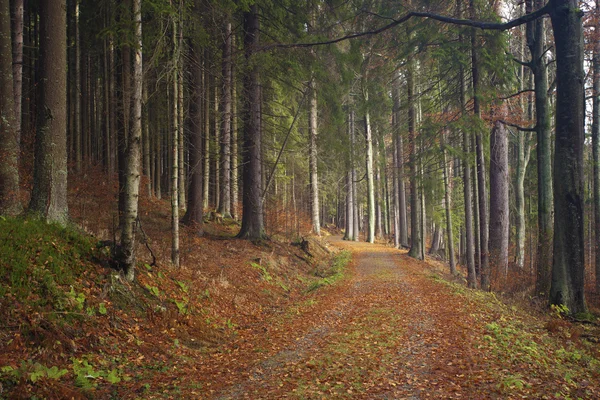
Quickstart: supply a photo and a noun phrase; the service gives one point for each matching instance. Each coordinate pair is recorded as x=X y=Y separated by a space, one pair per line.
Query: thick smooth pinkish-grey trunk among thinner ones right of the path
x=499 y=211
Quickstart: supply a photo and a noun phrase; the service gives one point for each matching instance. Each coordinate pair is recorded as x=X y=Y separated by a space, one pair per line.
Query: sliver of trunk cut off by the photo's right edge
x=596 y=147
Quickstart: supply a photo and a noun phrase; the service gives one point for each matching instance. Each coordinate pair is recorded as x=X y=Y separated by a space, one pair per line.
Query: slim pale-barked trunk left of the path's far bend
x=314 y=177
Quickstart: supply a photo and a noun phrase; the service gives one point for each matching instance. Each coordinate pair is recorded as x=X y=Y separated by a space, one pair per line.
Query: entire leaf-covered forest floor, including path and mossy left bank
x=311 y=319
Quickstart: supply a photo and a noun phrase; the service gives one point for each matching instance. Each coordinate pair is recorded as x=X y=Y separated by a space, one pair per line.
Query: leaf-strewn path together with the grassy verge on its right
x=395 y=330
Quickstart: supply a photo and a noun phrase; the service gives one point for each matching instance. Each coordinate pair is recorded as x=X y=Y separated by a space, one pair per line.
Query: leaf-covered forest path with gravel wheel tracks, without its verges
x=389 y=331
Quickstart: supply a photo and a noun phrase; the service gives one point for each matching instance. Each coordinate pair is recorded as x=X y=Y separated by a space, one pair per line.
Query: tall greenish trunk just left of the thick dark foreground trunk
x=536 y=43
